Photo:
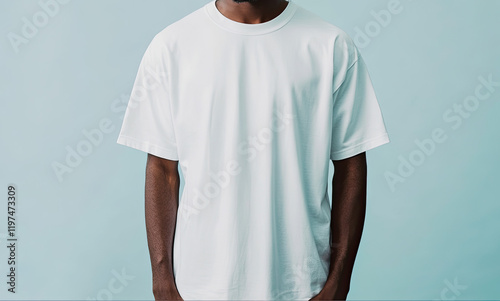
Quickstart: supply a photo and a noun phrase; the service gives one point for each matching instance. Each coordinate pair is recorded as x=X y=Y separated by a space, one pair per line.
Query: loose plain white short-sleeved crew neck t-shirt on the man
x=253 y=113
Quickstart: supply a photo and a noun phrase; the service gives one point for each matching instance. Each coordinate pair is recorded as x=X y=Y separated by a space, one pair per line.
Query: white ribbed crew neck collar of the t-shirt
x=250 y=29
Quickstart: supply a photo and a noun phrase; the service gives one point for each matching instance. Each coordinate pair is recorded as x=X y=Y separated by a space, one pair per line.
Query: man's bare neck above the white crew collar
x=251 y=12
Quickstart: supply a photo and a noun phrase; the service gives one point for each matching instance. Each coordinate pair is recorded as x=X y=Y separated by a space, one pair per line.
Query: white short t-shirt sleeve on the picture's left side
x=148 y=124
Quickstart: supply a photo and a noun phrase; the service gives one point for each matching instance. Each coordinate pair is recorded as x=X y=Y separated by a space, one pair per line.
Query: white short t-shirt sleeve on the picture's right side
x=357 y=124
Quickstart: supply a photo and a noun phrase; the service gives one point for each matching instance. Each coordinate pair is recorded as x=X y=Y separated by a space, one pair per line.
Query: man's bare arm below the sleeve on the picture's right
x=347 y=220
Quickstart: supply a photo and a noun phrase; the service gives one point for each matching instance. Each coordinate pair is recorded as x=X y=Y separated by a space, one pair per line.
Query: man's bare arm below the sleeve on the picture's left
x=161 y=203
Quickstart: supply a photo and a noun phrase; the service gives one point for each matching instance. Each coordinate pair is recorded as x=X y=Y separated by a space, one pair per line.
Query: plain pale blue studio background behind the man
x=438 y=226
